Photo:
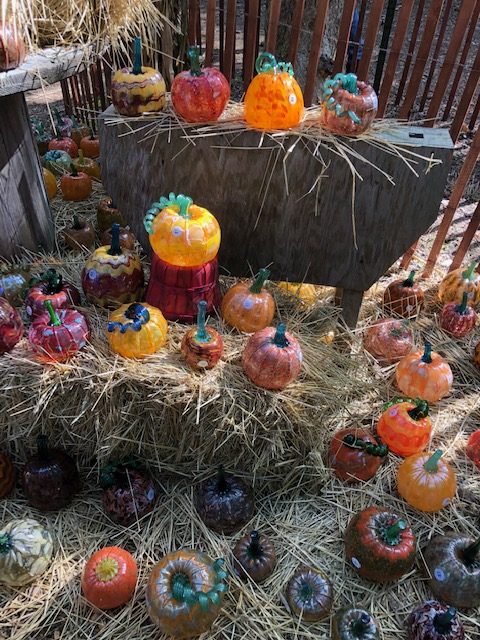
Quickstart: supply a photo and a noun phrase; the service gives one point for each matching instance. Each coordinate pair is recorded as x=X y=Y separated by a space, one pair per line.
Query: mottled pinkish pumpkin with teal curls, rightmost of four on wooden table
x=349 y=106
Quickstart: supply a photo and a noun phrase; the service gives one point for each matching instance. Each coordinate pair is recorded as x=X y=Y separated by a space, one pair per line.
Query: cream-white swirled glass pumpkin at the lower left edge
x=26 y=549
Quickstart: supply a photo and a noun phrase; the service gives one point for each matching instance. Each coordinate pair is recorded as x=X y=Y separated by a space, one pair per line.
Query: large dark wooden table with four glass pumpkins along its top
x=309 y=234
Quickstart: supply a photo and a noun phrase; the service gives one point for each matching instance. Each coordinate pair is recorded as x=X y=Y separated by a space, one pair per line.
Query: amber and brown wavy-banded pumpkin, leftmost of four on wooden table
x=138 y=90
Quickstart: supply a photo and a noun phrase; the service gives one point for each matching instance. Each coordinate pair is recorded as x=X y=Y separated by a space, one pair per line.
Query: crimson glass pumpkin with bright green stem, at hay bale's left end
x=58 y=336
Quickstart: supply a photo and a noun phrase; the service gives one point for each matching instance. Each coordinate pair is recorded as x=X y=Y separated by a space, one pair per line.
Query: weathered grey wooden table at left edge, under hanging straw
x=25 y=218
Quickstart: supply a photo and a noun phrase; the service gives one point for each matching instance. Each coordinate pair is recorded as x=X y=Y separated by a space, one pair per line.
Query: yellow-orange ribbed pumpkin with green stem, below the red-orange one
x=426 y=481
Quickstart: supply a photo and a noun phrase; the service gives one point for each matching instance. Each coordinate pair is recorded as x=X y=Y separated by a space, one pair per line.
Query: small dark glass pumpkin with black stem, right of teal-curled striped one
x=255 y=557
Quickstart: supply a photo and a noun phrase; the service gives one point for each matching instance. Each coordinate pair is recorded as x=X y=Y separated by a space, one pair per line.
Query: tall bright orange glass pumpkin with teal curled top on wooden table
x=274 y=99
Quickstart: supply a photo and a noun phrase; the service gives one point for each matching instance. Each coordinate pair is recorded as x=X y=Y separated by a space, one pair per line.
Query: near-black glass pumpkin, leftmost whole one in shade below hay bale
x=50 y=477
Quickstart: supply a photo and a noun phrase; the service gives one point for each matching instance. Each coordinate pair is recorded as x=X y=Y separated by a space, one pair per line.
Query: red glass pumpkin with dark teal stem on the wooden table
x=199 y=95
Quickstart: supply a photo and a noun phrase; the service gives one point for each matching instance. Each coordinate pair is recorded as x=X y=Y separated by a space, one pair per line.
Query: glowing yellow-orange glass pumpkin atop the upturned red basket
x=181 y=233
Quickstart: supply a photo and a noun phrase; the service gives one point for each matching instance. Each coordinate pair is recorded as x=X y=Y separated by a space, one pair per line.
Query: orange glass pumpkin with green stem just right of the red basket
x=248 y=306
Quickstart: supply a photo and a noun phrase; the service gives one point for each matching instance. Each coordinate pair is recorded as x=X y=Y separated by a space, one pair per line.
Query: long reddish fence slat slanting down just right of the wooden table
x=457 y=192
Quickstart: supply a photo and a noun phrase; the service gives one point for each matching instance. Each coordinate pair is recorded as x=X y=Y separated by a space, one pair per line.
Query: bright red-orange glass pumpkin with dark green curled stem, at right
x=405 y=426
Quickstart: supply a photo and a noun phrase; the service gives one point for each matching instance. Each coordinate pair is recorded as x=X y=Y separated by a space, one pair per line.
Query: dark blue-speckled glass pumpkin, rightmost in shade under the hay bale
x=224 y=502
